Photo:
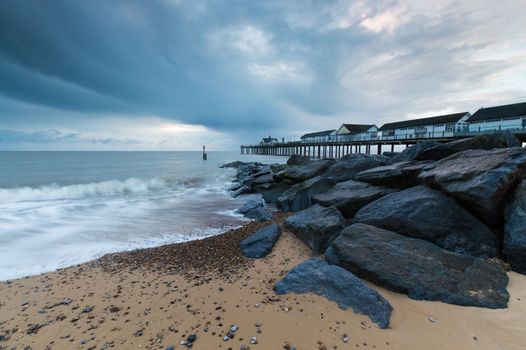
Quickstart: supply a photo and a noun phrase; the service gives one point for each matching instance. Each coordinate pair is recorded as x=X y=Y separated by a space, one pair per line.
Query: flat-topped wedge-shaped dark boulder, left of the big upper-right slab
x=397 y=175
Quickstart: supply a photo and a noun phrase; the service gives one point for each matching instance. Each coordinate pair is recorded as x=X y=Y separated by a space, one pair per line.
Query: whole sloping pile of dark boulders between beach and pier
x=436 y=221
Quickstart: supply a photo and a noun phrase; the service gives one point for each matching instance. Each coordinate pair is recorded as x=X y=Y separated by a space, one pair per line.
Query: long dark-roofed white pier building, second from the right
x=431 y=127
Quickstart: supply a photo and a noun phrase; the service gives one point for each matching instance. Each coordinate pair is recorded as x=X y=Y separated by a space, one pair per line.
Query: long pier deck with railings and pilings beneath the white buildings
x=342 y=146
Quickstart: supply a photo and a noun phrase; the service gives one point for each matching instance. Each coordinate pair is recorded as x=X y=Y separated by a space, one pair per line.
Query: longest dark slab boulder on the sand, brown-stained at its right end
x=419 y=268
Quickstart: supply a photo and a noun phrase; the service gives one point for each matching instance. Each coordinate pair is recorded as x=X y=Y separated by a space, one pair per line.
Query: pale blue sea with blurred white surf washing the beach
x=59 y=209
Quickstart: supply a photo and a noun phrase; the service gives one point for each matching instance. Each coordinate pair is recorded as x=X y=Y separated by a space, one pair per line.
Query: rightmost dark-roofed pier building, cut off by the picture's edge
x=505 y=117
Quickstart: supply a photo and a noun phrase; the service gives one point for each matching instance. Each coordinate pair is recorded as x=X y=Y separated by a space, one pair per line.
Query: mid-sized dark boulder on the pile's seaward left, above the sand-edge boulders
x=299 y=196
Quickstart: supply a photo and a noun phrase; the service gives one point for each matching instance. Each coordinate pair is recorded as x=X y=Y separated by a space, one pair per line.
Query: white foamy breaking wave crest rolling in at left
x=77 y=191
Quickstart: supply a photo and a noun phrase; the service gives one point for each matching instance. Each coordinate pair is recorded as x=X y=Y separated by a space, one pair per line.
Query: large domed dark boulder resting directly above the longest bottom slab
x=424 y=213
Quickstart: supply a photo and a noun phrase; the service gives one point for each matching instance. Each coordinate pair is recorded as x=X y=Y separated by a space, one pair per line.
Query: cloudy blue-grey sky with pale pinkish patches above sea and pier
x=177 y=74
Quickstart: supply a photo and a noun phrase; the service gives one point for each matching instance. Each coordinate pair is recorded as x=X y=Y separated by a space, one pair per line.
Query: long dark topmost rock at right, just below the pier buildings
x=501 y=139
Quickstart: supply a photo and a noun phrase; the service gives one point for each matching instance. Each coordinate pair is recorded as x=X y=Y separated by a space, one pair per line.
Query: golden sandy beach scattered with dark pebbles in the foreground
x=157 y=297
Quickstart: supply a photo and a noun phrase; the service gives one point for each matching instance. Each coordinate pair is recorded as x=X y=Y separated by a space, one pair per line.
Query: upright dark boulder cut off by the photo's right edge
x=515 y=229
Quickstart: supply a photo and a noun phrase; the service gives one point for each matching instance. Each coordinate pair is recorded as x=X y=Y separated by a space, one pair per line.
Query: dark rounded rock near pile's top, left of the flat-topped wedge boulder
x=352 y=164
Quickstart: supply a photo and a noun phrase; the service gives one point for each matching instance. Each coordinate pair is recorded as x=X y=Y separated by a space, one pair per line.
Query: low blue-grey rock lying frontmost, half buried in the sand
x=338 y=285
